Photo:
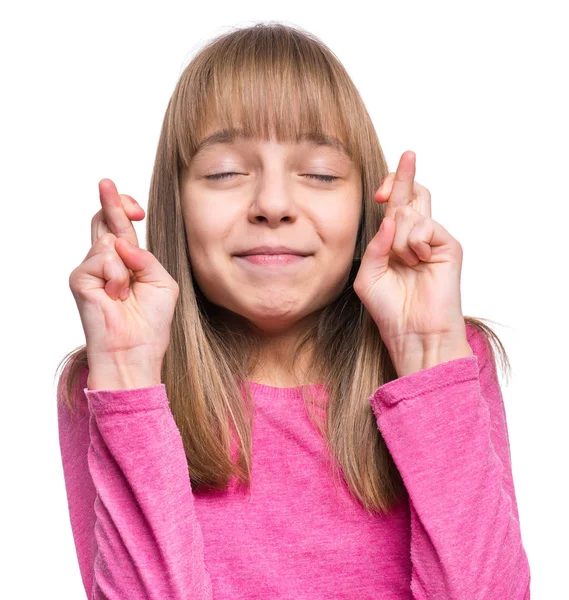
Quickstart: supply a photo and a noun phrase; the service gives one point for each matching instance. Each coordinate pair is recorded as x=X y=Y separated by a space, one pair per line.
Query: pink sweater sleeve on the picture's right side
x=446 y=430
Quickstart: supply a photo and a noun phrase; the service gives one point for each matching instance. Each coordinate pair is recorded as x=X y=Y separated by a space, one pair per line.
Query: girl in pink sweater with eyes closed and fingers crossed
x=281 y=397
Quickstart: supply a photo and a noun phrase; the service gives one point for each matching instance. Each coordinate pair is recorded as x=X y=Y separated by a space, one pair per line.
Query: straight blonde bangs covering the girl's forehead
x=280 y=87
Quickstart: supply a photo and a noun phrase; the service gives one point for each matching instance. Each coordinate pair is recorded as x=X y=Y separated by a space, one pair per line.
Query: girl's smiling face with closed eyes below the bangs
x=306 y=196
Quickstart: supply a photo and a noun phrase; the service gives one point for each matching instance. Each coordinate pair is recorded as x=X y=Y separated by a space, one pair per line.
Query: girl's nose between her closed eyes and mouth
x=273 y=200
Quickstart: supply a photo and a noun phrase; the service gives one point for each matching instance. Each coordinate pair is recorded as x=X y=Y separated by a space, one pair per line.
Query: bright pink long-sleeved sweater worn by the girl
x=141 y=533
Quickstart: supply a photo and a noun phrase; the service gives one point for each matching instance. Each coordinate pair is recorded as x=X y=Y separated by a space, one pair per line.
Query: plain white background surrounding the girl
x=477 y=90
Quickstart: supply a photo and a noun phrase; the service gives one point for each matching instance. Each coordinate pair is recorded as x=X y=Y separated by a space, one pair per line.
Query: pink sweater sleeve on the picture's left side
x=130 y=499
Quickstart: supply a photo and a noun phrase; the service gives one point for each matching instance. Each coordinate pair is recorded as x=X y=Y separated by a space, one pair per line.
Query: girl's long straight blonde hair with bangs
x=268 y=77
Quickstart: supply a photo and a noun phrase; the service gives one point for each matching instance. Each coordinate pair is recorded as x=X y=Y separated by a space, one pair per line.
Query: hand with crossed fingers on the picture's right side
x=409 y=277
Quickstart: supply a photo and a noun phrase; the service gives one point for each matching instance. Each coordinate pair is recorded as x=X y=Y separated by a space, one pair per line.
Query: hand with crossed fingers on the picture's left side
x=126 y=298
